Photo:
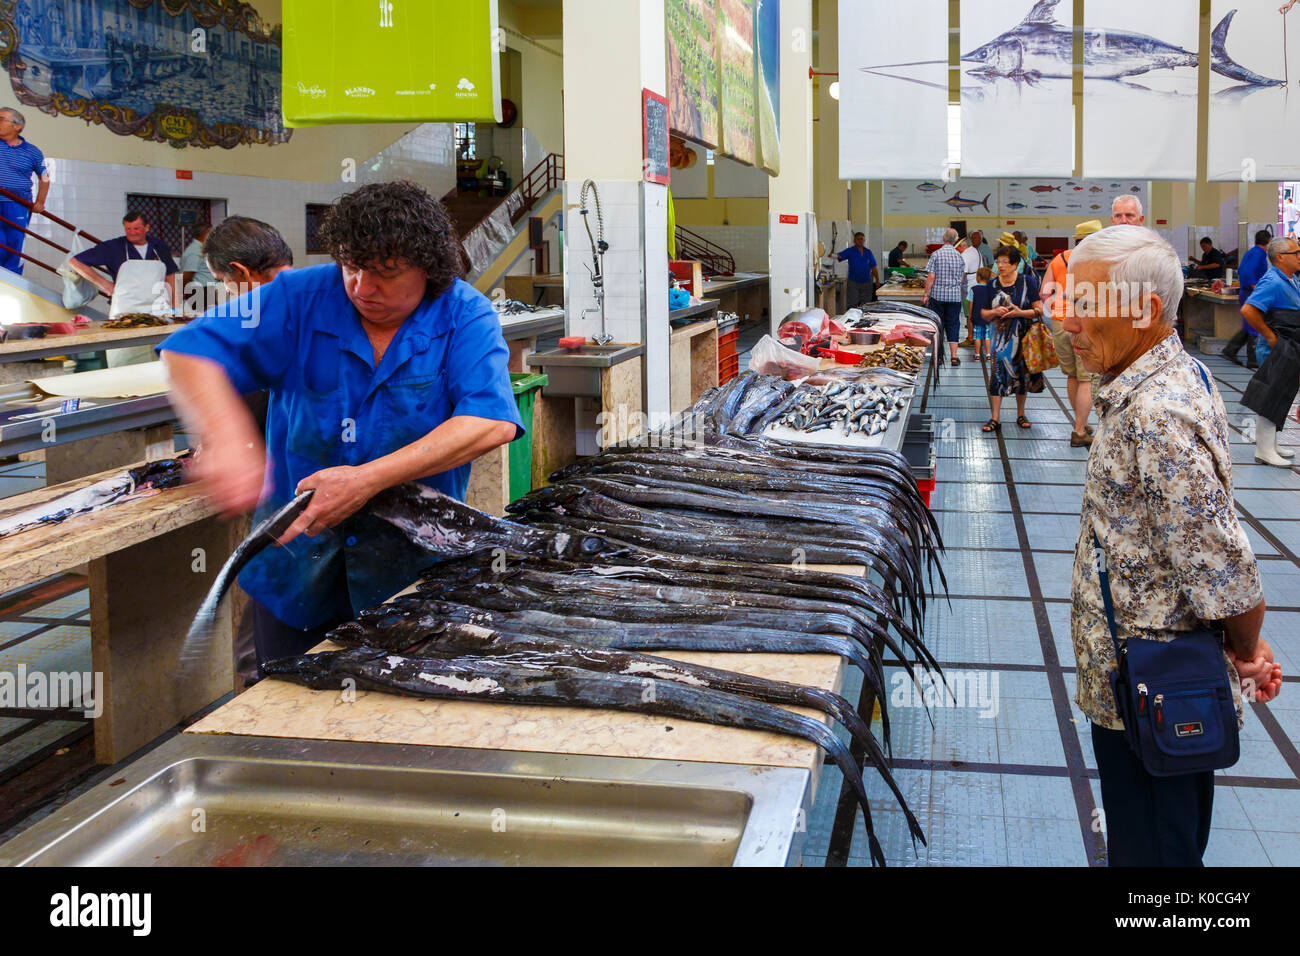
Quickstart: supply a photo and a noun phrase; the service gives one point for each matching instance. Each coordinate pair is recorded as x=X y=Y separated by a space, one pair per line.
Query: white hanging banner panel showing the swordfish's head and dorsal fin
x=1017 y=105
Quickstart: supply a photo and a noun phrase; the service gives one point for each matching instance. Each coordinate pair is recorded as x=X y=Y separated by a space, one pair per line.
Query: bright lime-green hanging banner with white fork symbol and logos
x=391 y=62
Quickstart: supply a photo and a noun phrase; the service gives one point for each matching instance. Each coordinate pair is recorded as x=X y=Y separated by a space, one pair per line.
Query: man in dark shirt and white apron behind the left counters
x=144 y=278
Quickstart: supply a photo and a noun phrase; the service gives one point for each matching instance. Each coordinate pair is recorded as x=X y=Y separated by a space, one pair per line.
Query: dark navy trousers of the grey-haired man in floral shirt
x=1151 y=821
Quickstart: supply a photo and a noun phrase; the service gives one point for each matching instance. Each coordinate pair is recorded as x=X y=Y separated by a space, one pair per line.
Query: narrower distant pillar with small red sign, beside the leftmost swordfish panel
x=792 y=226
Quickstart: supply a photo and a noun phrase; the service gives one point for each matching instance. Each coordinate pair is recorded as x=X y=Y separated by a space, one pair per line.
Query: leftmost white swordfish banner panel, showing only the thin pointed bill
x=894 y=89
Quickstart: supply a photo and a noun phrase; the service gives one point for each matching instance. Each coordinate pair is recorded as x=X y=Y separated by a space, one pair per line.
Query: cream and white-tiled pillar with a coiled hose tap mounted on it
x=612 y=53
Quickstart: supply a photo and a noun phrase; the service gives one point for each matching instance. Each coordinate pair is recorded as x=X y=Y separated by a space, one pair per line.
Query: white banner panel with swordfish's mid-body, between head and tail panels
x=1139 y=89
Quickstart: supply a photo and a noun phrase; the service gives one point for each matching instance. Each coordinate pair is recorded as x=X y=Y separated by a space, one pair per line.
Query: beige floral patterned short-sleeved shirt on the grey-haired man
x=1159 y=495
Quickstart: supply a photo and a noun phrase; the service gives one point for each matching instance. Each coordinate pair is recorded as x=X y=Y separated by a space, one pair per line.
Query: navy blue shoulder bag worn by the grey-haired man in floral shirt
x=1173 y=697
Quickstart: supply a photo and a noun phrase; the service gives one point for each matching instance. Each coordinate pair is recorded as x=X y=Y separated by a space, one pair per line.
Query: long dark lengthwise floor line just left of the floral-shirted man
x=1093 y=843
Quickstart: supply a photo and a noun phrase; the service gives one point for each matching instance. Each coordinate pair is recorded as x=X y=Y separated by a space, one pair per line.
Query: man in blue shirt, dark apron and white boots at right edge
x=1273 y=310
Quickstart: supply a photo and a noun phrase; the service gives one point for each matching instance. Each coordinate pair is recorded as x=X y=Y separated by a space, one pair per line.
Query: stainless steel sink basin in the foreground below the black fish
x=265 y=802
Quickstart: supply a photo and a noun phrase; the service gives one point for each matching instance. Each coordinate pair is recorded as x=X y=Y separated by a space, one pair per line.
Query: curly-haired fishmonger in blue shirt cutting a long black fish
x=384 y=367
